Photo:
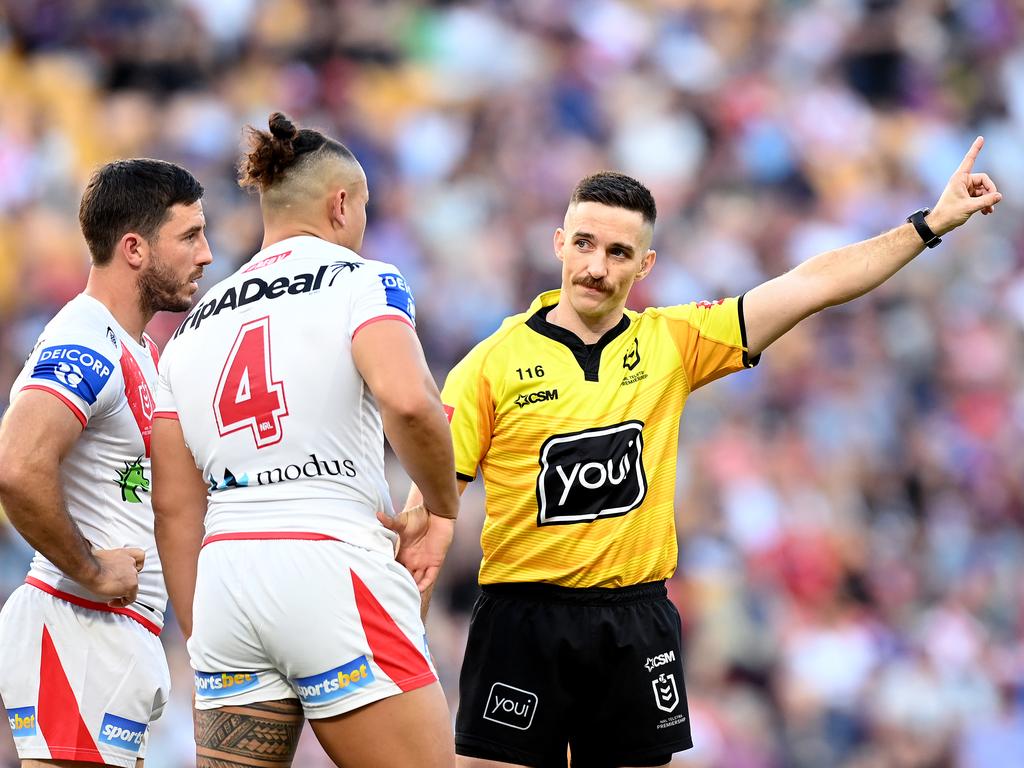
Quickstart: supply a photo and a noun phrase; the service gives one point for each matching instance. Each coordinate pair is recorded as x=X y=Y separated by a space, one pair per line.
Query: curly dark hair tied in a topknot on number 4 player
x=285 y=147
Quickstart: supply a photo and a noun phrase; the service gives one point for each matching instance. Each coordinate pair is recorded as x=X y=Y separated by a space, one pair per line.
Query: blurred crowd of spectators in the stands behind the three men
x=851 y=513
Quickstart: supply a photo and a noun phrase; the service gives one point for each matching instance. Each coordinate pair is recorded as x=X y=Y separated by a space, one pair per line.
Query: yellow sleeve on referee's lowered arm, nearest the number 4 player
x=471 y=409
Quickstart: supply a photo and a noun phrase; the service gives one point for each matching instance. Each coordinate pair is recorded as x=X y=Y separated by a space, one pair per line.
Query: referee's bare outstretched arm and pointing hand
x=839 y=276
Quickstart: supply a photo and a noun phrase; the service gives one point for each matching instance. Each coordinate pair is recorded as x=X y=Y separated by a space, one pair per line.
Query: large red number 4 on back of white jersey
x=247 y=395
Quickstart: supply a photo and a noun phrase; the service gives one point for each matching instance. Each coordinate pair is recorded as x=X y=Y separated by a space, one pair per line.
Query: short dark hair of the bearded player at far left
x=132 y=196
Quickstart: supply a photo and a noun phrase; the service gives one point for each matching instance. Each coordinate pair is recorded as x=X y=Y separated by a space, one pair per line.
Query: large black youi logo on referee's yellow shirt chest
x=591 y=475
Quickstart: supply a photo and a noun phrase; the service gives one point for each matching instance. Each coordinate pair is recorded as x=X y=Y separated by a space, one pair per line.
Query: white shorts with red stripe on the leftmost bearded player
x=78 y=684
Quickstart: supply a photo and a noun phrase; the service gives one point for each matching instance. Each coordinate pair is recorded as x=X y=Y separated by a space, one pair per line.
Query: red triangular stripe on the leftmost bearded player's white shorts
x=60 y=719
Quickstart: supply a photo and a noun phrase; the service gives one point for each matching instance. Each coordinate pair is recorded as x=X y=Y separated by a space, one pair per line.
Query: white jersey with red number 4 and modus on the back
x=276 y=414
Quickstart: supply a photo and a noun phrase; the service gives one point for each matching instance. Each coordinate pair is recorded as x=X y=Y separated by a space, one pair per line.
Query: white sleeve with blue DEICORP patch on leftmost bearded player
x=75 y=367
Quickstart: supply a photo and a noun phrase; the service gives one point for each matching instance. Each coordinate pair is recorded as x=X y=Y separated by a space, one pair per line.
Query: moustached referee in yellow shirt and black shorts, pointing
x=571 y=412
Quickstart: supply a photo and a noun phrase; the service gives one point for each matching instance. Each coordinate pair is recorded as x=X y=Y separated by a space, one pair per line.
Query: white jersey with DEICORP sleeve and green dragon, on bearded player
x=108 y=380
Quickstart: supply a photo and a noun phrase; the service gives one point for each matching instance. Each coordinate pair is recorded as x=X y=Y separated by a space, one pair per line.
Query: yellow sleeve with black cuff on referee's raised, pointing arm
x=711 y=338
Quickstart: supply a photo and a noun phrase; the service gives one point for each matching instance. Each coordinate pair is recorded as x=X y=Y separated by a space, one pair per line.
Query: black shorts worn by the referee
x=598 y=670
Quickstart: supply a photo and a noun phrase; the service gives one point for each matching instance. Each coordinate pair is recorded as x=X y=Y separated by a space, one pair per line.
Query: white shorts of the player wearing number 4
x=328 y=623
